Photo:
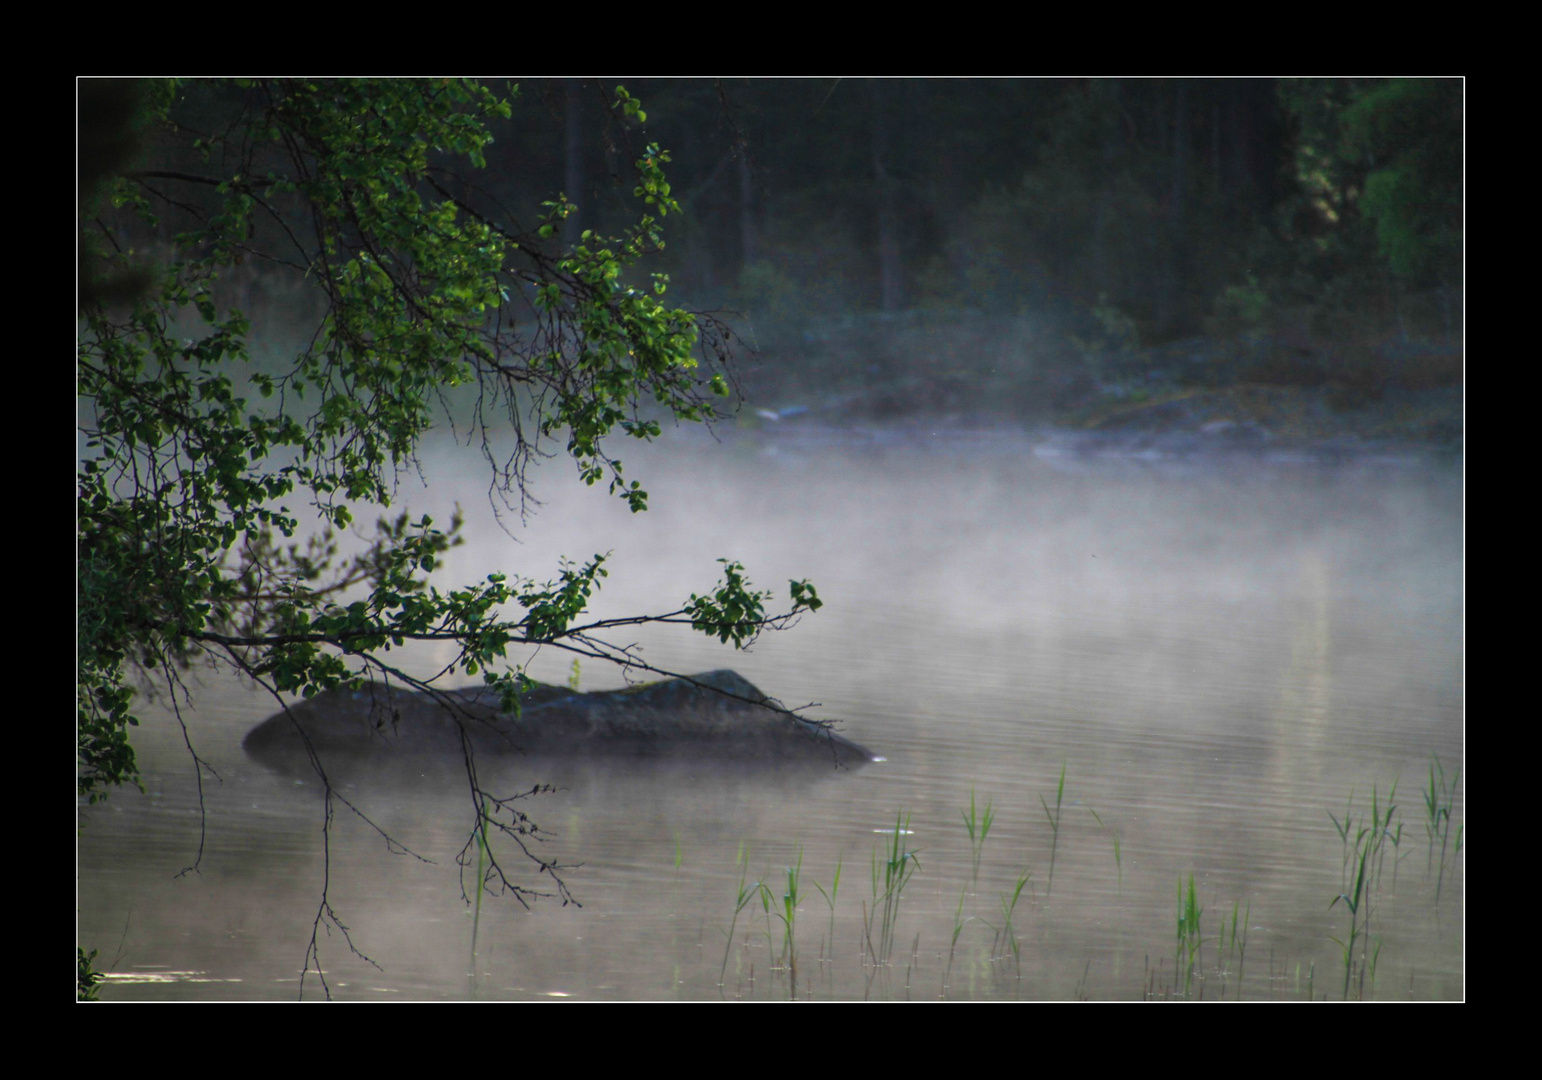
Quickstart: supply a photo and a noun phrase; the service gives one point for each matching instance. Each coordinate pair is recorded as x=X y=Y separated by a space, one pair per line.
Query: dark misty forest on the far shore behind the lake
x=1025 y=240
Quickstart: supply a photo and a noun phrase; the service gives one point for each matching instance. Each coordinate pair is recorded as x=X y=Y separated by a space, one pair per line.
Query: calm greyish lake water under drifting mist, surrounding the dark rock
x=1217 y=653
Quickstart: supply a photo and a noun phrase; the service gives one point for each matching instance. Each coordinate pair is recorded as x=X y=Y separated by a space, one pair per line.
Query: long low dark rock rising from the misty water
x=718 y=714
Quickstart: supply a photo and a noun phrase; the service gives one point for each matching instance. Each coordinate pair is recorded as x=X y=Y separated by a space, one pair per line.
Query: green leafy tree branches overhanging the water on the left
x=201 y=467
